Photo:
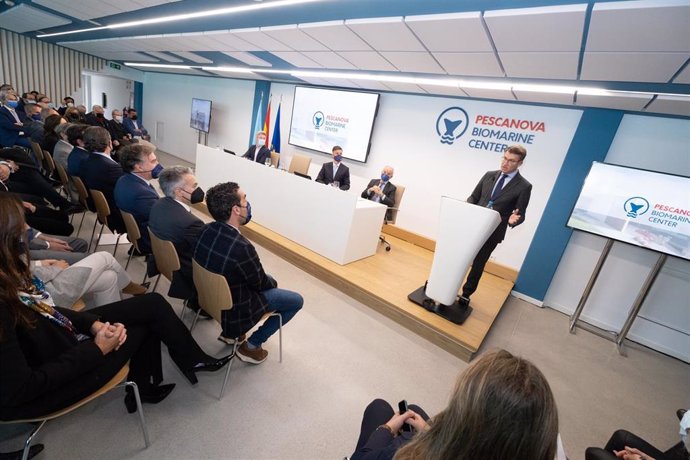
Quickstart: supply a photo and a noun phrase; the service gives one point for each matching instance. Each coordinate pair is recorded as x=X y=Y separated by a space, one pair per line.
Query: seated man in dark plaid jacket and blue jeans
x=221 y=248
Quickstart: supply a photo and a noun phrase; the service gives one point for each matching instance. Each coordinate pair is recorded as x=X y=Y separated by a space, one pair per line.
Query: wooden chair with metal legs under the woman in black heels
x=119 y=380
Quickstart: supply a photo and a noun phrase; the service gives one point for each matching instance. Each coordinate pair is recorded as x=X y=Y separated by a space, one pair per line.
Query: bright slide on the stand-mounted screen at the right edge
x=644 y=208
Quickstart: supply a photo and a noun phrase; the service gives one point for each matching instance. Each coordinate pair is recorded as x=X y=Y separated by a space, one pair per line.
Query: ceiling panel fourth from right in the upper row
x=385 y=34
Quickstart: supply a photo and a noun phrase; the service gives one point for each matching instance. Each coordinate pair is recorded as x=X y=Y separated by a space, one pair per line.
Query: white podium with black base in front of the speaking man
x=463 y=230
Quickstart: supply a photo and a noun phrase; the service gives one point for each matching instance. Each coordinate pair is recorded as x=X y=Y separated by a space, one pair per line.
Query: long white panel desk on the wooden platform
x=334 y=223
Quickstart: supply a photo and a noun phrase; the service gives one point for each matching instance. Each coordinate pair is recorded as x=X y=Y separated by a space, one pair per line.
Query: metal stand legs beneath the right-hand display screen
x=617 y=337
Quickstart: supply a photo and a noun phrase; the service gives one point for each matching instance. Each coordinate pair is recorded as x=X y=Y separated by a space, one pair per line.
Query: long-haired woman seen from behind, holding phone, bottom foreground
x=502 y=408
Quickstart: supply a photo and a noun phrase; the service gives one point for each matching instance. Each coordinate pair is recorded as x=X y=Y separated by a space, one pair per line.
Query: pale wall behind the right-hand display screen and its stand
x=657 y=144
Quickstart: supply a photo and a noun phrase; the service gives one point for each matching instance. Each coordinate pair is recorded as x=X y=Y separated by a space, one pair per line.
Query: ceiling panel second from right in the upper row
x=553 y=28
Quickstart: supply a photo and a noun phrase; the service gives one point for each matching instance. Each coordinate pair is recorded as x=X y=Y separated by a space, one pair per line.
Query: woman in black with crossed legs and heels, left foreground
x=52 y=357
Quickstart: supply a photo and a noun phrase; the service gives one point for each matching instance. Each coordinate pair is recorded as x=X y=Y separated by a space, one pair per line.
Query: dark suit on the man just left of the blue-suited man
x=100 y=173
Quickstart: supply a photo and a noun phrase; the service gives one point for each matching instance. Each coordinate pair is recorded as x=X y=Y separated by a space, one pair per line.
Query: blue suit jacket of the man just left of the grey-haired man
x=136 y=197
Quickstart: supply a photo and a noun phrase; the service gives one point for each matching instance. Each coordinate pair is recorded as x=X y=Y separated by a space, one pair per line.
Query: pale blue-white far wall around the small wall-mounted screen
x=168 y=103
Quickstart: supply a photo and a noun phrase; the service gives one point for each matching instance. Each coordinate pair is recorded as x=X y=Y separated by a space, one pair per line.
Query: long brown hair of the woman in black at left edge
x=14 y=270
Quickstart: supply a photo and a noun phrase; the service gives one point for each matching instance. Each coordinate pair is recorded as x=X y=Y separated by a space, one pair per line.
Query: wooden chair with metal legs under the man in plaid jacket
x=214 y=297
